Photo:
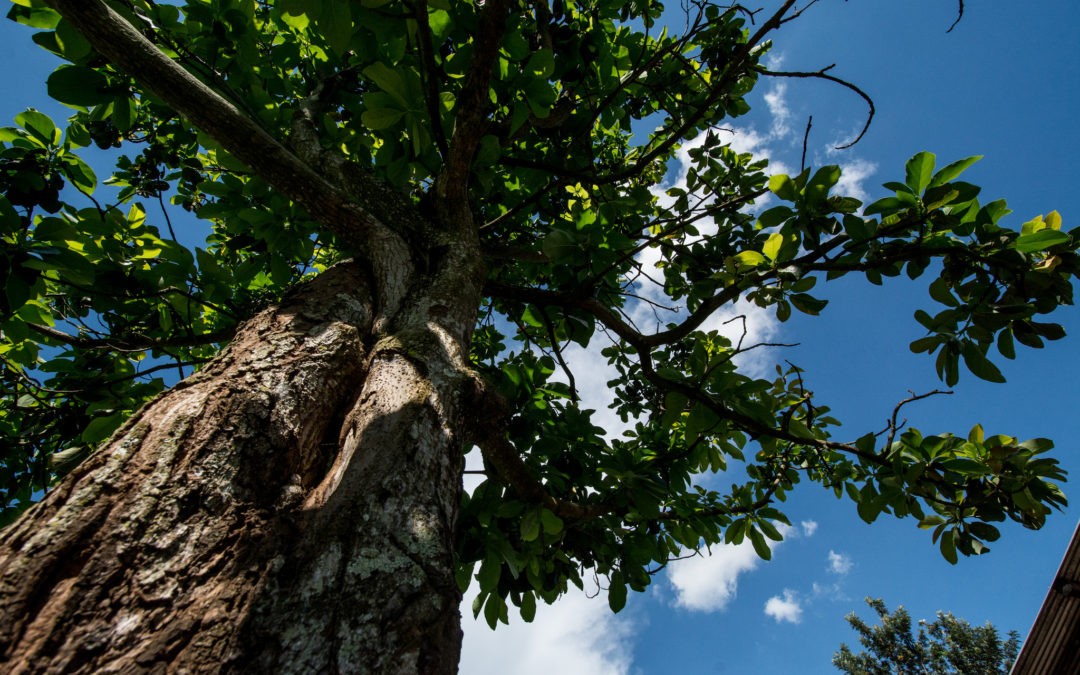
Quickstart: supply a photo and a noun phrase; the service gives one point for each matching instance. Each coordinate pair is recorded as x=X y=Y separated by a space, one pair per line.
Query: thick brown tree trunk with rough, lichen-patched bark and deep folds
x=289 y=509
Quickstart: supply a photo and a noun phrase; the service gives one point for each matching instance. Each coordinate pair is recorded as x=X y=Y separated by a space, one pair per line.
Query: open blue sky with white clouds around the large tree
x=1005 y=84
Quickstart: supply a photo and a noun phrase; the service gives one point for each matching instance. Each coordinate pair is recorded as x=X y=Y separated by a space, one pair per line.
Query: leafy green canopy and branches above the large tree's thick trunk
x=301 y=132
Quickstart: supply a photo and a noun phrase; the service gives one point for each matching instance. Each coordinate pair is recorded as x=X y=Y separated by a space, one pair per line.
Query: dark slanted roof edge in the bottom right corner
x=1054 y=645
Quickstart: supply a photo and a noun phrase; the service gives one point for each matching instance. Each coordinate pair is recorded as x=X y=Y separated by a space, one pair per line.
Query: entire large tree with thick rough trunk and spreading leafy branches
x=391 y=188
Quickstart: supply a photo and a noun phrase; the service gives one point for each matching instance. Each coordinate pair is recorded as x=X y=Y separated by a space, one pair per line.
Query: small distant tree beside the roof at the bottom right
x=948 y=645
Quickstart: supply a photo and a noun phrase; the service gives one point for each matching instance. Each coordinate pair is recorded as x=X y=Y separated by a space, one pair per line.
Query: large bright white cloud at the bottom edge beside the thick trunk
x=577 y=636
